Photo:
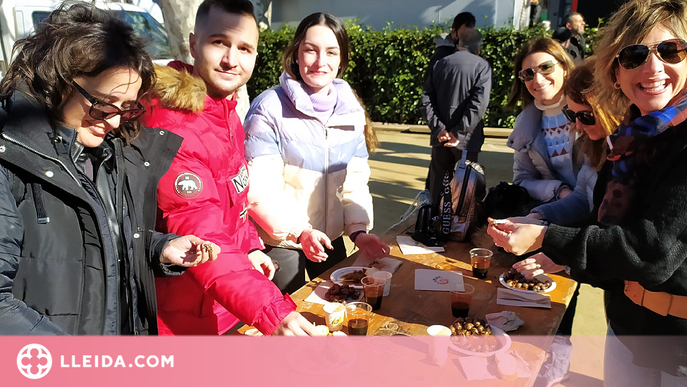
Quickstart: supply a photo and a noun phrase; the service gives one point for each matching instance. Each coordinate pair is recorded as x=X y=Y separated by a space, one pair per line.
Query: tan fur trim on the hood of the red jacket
x=178 y=89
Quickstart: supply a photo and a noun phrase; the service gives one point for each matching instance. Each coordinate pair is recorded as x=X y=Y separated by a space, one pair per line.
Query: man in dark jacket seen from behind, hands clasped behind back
x=454 y=99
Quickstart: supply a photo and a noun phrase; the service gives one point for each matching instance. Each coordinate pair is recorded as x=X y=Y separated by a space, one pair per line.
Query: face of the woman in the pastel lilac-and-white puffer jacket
x=319 y=58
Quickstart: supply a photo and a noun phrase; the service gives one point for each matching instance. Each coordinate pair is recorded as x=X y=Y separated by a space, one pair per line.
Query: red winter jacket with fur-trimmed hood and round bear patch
x=204 y=194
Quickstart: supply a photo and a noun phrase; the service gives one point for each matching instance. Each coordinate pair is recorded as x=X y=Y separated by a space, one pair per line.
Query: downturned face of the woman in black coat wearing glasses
x=118 y=86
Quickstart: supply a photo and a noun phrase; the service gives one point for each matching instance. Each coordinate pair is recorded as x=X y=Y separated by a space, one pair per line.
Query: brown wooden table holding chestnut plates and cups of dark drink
x=408 y=311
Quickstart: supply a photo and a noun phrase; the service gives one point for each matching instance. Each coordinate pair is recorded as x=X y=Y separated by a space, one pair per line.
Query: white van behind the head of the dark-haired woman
x=18 y=18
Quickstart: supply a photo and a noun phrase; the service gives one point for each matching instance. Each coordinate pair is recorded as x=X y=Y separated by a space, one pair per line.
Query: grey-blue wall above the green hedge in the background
x=377 y=13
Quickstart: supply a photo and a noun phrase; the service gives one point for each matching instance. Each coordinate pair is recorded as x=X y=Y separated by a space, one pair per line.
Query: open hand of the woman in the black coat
x=189 y=251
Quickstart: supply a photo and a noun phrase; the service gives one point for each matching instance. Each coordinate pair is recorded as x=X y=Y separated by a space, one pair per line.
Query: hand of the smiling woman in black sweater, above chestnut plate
x=517 y=235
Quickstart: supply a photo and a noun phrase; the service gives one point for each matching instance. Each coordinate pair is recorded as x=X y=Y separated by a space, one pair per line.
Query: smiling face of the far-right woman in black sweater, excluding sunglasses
x=653 y=85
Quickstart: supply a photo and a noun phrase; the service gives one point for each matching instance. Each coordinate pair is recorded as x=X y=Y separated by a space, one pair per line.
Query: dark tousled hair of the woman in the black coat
x=77 y=39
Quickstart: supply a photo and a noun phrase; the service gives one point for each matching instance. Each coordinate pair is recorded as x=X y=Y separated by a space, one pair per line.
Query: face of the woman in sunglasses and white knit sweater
x=547 y=89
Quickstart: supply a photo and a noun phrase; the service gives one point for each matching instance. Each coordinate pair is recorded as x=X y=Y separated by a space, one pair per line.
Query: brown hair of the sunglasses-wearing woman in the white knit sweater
x=518 y=91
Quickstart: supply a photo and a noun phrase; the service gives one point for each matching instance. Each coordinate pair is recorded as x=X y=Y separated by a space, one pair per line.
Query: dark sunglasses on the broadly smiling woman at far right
x=670 y=51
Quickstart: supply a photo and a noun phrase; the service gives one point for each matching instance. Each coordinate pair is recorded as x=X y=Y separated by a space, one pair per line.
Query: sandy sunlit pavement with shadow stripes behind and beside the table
x=399 y=169
